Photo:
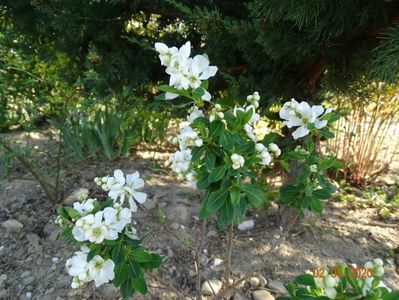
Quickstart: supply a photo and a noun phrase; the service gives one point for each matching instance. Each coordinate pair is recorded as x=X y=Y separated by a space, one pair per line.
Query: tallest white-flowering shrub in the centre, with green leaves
x=221 y=152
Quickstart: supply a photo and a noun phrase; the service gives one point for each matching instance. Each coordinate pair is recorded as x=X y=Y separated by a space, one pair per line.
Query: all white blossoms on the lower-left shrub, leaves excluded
x=106 y=224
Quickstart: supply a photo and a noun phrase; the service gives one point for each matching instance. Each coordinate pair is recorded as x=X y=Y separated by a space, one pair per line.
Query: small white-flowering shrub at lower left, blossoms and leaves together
x=110 y=250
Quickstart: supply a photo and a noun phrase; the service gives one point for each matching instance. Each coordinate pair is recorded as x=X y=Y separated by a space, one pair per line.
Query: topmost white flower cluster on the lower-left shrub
x=120 y=188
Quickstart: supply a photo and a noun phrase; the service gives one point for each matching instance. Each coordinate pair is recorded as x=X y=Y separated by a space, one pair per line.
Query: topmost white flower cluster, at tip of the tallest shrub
x=185 y=72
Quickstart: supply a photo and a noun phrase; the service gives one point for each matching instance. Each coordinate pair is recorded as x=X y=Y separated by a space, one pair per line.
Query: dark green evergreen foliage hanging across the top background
x=281 y=48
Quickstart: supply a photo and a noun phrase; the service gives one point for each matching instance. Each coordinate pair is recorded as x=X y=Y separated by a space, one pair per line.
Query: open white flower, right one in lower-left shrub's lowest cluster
x=100 y=270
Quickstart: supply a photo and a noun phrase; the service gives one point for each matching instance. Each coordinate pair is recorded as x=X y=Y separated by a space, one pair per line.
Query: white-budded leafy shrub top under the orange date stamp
x=343 y=282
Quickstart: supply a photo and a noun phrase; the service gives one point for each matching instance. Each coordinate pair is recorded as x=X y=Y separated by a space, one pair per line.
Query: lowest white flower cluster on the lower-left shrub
x=98 y=269
